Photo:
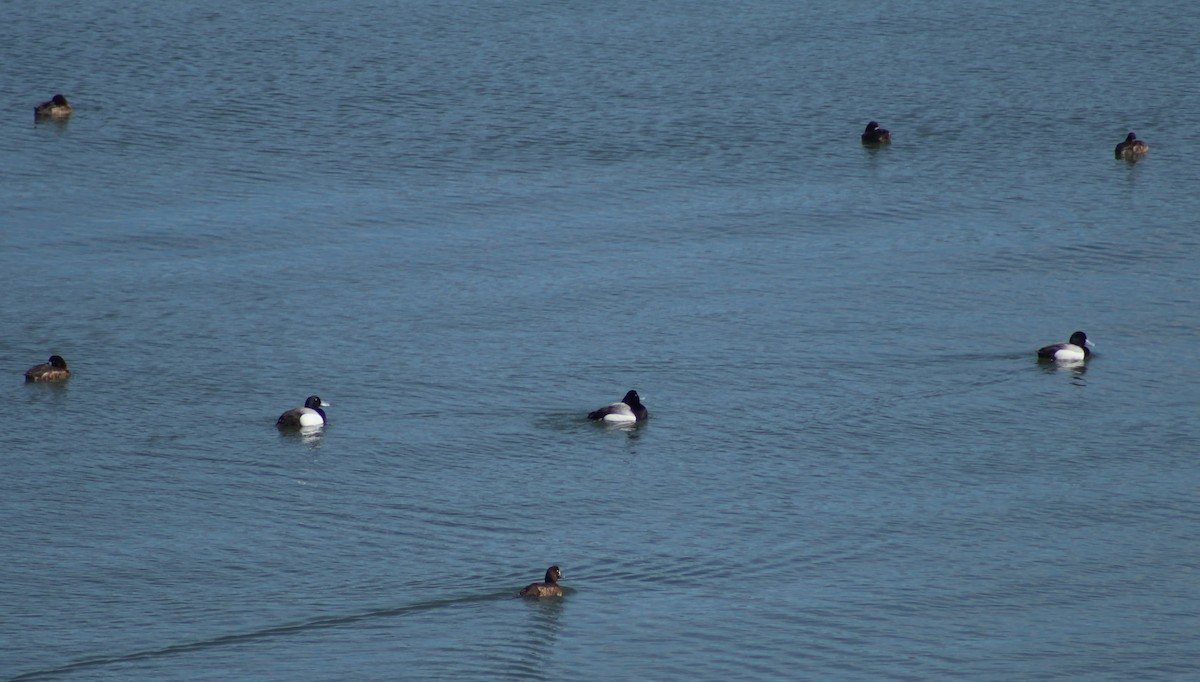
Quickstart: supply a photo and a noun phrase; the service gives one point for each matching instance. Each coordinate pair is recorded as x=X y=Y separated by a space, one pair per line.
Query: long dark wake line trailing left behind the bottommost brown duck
x=256 y=636
